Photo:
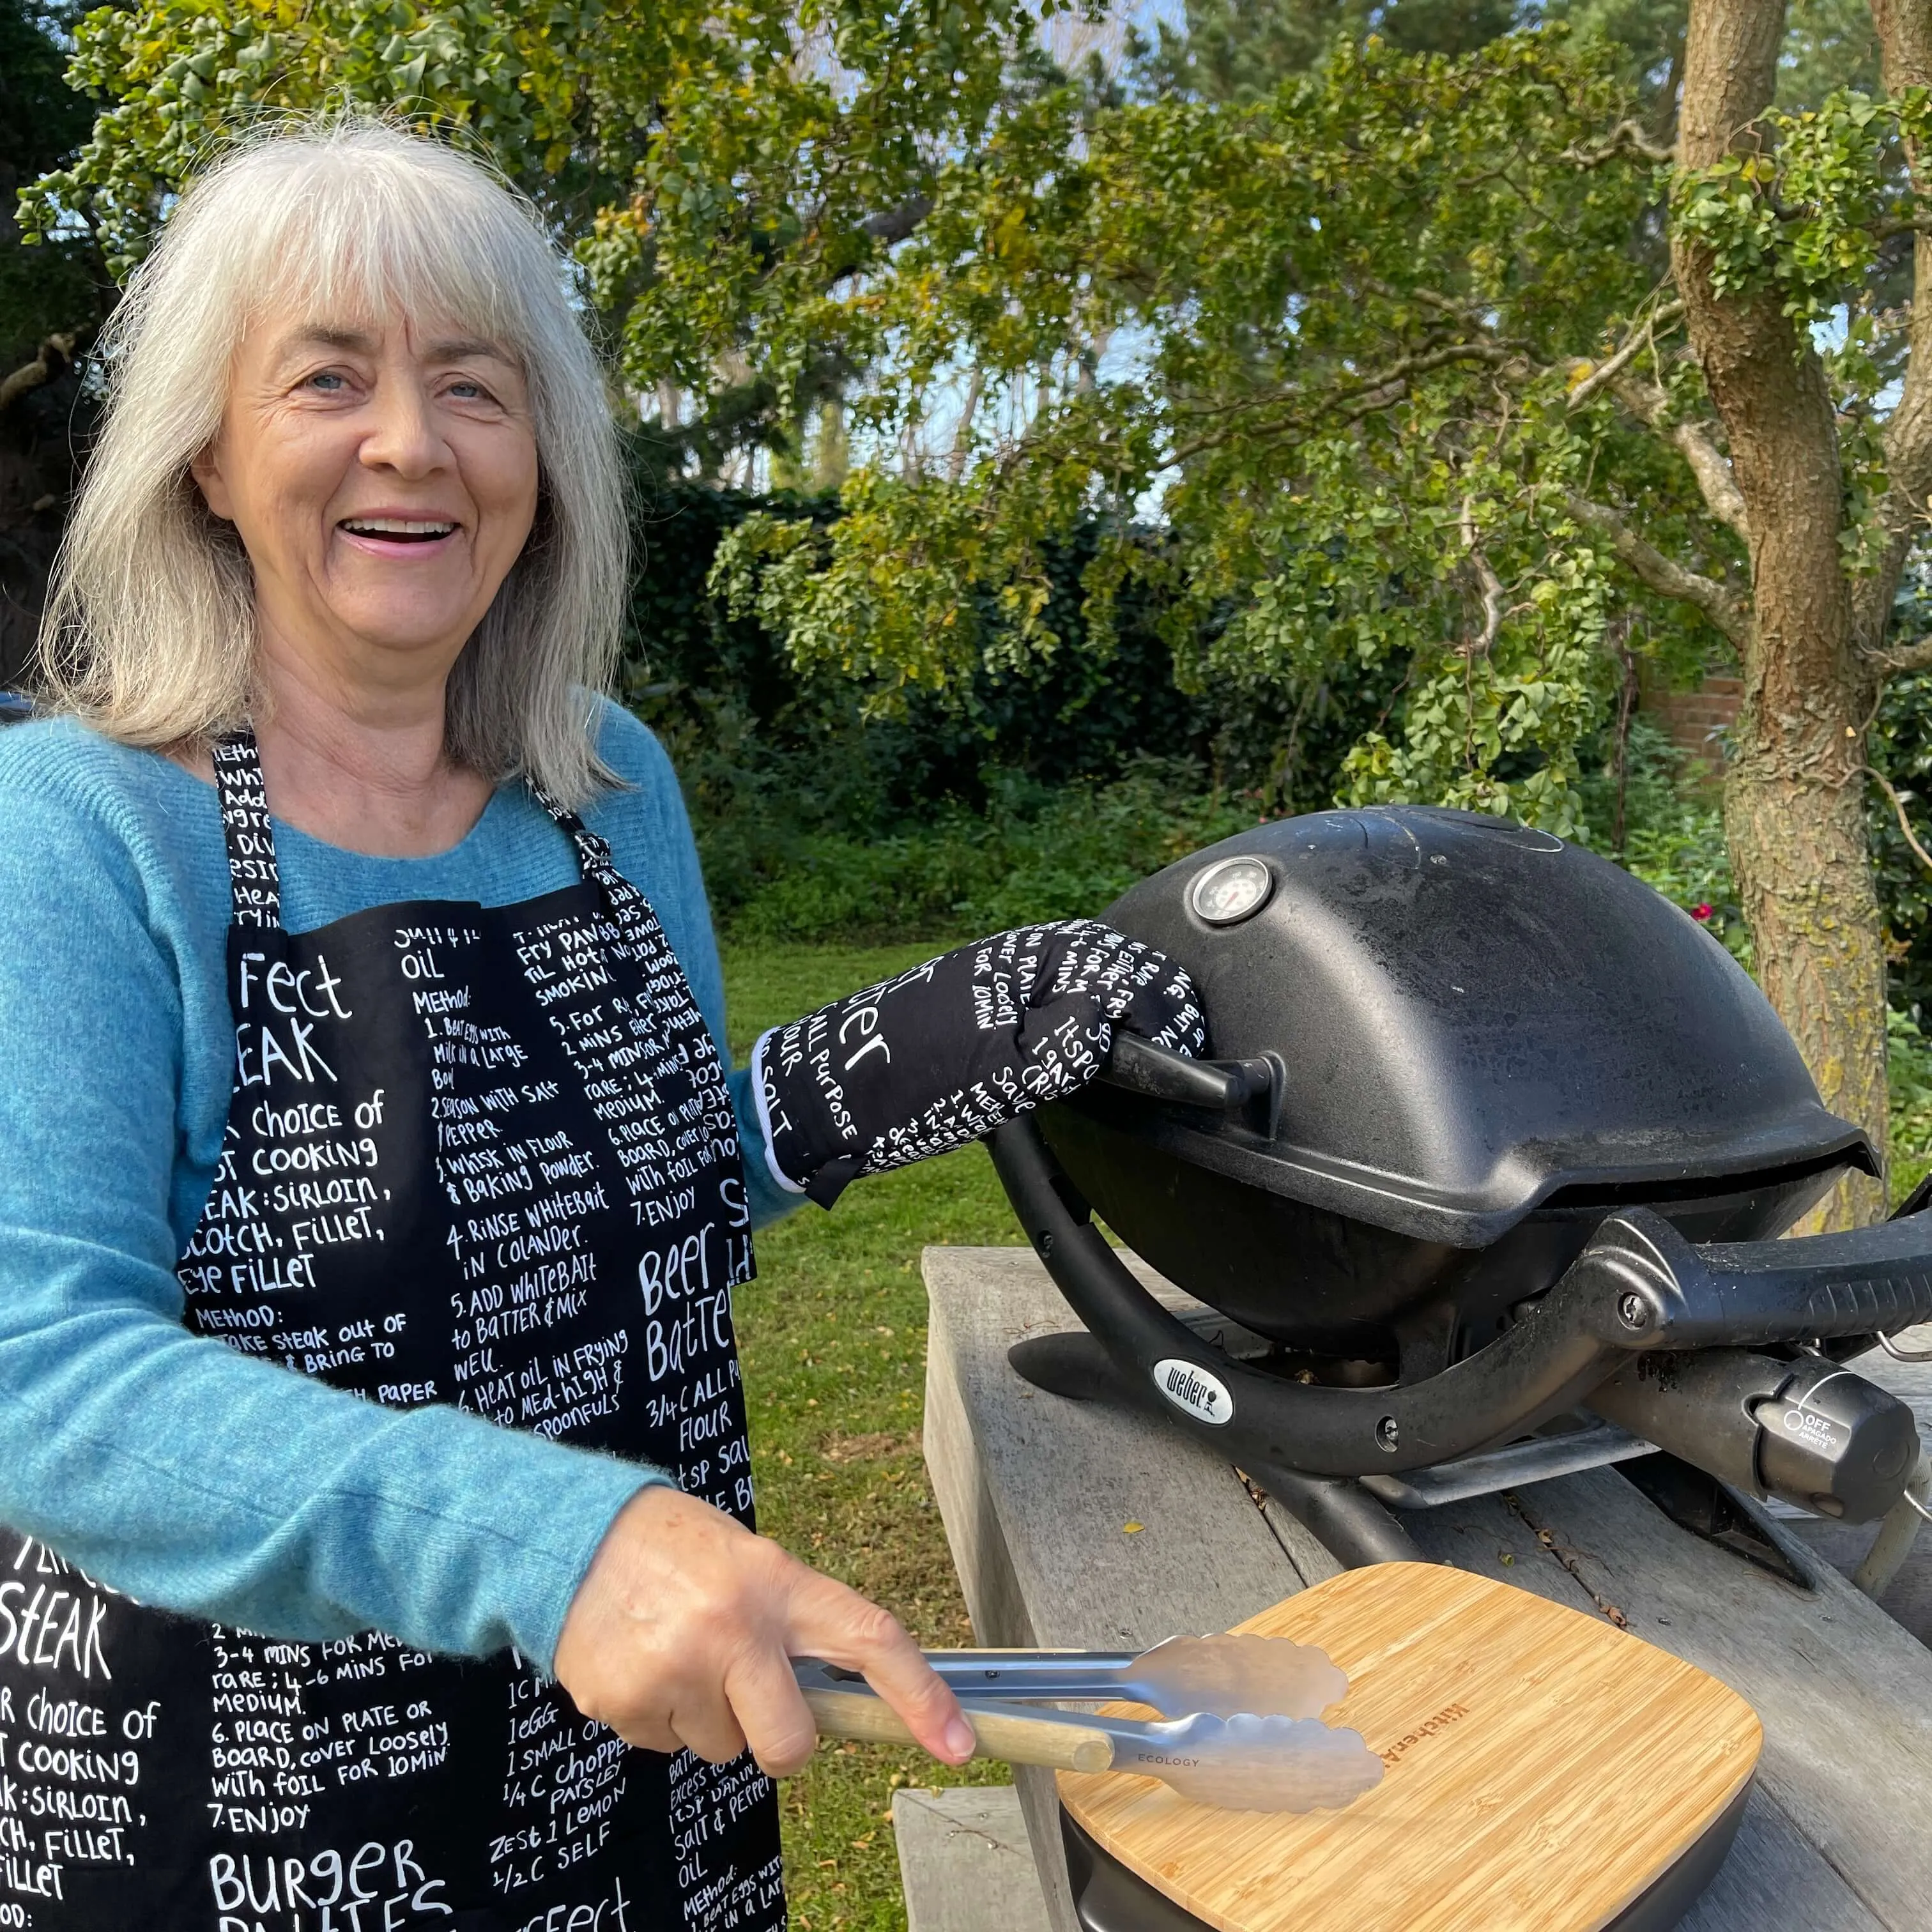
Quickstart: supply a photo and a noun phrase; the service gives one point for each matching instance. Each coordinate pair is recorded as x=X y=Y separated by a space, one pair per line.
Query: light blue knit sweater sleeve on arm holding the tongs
x=169 y=1465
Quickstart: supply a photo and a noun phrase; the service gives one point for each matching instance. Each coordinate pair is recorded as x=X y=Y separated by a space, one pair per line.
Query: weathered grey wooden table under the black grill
x=1075 y=1525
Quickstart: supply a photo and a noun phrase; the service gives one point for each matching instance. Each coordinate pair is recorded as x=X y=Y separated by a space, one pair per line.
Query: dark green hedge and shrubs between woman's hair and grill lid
x=830 y=807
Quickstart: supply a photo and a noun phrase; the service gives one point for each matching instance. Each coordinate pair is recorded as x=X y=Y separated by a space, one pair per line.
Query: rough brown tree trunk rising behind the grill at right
x=1829 y=496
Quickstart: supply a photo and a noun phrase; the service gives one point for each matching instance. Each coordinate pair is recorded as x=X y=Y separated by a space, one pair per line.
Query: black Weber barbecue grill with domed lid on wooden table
x=1481 y=1185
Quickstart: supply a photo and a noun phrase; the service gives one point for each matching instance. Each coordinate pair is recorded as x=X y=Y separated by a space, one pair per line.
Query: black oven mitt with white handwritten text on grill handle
x=953 y=1048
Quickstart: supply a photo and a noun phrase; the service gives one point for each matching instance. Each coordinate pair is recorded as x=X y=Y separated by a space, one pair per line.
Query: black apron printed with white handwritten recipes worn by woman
x=476 y=1156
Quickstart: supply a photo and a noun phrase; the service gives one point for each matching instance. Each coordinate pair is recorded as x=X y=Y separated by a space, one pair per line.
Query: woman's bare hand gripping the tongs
x=685 y=1628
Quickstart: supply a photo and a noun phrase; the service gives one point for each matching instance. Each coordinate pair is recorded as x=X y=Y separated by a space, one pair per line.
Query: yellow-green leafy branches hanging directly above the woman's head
x=704 y=161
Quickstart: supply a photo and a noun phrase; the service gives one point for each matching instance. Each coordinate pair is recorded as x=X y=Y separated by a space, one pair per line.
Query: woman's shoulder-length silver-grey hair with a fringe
x=150 y=629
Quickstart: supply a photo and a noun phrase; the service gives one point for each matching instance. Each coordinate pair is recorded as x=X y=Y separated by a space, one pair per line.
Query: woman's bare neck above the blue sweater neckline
x=358 y=768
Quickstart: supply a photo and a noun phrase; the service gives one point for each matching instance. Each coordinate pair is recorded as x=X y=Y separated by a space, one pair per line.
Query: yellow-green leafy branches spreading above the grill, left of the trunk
x=1355 y=326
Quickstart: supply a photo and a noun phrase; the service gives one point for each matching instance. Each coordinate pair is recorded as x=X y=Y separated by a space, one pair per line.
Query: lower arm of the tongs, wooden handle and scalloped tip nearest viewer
x=1239 y=1763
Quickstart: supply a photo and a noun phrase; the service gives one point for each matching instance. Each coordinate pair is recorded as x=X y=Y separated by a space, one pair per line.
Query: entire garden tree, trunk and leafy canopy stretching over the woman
x=1423 y=366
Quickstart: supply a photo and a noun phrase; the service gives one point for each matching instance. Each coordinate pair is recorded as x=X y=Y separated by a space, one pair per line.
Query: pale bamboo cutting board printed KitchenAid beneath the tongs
x=1541 y=1771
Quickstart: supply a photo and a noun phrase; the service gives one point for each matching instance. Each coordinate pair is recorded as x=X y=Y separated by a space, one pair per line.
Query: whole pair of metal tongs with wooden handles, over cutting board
x=1243 y=1717
